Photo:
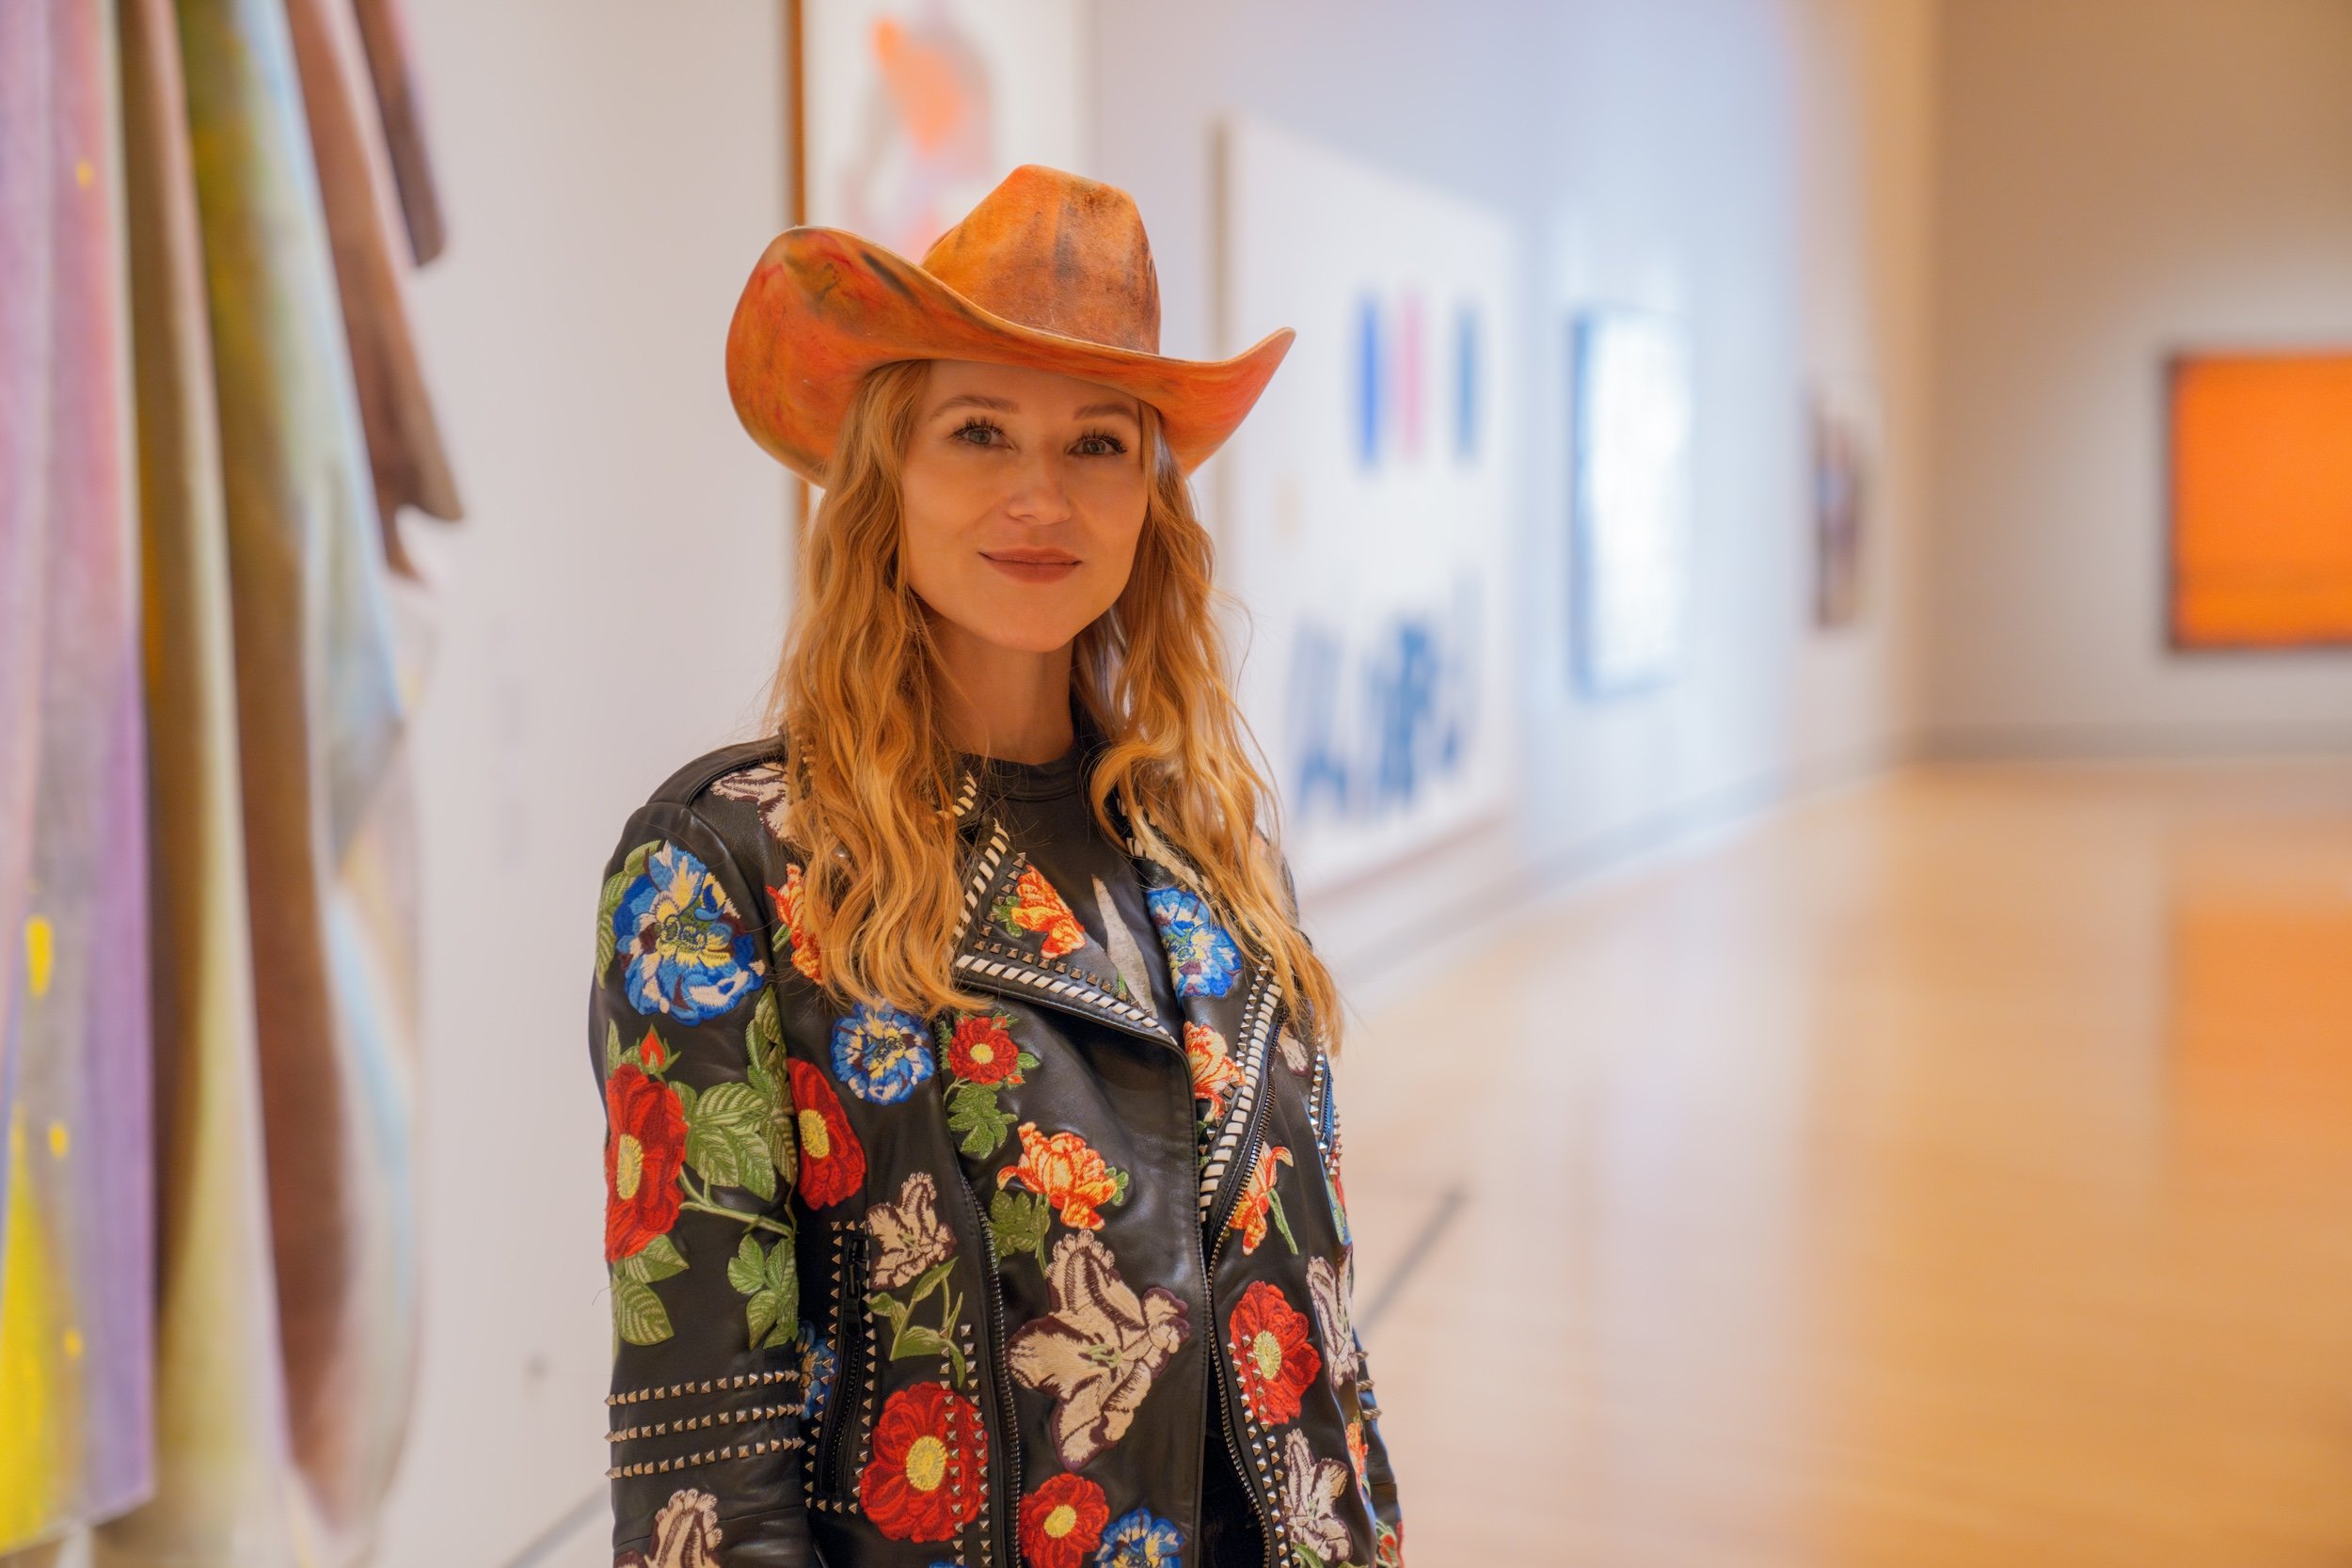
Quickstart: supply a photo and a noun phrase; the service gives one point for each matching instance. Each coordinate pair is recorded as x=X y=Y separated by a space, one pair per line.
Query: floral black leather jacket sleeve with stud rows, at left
x=700 y=1238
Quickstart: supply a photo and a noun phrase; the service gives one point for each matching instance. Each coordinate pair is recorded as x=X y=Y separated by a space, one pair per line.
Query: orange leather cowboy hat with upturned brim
x=1048 y=272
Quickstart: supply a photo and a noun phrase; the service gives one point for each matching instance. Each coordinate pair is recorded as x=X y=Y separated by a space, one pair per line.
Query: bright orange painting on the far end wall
x=2261 y=488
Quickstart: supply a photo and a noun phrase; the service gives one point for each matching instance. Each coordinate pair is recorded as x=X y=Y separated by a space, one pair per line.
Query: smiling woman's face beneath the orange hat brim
x=1024 y=497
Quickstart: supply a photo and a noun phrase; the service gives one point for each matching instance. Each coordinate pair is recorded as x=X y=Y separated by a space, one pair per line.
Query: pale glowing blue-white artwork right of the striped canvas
x=1629 y=497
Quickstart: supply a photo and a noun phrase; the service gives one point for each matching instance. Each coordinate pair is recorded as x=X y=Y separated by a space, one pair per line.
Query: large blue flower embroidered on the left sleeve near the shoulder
x=688 y=958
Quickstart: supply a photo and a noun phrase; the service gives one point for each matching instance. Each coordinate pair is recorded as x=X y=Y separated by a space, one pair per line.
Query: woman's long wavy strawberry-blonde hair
x=871 y=772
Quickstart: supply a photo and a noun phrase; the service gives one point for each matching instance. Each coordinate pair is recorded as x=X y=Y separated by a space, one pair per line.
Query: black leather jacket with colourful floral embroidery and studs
x=817 y=1217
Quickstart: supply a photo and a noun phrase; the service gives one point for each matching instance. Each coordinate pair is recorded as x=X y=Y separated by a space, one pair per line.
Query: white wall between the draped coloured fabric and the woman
x=615 y=603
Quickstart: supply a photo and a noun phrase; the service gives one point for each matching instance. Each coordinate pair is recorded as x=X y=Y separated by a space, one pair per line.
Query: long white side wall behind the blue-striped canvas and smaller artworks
x=1758 y=166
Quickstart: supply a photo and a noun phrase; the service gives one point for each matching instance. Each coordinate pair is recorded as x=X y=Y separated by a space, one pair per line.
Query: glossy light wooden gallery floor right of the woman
x=1956 y=1172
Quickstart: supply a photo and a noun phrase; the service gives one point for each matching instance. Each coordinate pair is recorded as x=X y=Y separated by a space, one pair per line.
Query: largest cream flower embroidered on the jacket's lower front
x=1100 y=1346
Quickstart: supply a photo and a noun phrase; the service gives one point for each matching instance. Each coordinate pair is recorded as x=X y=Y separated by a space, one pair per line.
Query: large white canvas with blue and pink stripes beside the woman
x=1368 y=502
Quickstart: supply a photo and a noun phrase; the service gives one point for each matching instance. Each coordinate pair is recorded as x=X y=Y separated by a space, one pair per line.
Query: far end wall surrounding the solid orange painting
x=2120 y=180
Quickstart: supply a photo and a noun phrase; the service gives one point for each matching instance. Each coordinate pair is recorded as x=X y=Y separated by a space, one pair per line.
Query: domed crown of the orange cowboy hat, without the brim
x=1057 y=253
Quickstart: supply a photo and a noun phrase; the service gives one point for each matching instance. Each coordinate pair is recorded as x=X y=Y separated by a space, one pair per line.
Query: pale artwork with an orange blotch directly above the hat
x=914 y=109
